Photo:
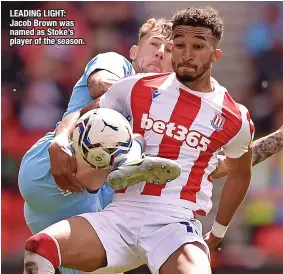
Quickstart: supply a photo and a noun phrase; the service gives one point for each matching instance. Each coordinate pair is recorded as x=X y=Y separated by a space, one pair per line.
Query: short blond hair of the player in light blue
x=160 y=24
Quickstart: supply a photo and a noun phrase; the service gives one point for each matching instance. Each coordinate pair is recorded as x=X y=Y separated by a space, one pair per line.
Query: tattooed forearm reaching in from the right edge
x=265 y=147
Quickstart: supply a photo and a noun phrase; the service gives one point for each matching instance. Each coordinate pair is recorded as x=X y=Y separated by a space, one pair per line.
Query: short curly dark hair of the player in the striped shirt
x=200 y=17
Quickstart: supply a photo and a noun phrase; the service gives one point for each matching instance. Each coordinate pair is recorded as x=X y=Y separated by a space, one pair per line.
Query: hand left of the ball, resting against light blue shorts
x=64 y=168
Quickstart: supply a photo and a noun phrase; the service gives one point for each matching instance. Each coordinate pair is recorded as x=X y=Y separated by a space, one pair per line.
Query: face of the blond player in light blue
x=153 y=54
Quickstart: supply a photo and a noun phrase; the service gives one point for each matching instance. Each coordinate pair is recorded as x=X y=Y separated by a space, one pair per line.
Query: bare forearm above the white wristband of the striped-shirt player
x=233 y=194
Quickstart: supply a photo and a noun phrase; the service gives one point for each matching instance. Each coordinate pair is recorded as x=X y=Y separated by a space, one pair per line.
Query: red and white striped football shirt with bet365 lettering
x=184 y=125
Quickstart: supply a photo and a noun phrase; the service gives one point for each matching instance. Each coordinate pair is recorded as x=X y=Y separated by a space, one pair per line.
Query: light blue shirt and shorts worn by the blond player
x=36 y=182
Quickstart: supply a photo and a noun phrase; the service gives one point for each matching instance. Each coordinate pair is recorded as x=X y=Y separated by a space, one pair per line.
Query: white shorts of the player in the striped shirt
x=135 y=233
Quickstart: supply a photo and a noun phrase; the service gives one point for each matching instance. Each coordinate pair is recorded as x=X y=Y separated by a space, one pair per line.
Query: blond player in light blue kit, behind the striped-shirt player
x=45 y=203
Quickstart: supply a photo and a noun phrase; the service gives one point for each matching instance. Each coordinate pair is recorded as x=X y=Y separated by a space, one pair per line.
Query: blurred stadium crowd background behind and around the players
x=37 y=82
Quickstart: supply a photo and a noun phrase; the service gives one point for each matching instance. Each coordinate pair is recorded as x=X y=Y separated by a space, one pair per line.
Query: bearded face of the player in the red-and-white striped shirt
x=194 y=50
